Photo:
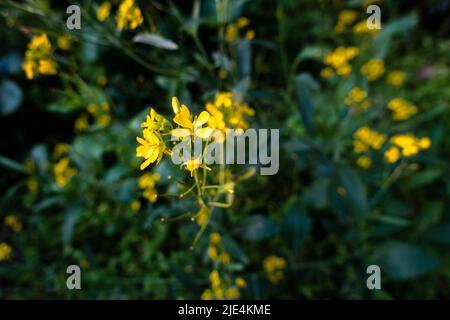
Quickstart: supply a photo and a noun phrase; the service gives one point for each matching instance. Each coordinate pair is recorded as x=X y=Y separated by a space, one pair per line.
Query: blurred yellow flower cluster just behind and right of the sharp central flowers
x=227 y=113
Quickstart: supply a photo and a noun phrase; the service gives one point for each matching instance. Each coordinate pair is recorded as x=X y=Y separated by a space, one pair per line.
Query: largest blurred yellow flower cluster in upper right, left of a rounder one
x=339 y=60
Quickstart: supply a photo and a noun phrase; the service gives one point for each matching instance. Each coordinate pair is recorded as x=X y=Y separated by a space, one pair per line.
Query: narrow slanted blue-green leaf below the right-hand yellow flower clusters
x=354 y=188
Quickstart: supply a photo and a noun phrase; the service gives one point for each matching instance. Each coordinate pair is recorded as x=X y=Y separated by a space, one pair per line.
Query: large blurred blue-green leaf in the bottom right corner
x=403 y=261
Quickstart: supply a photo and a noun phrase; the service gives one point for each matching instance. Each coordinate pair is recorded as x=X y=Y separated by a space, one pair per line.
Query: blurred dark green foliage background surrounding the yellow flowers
x=321 y=220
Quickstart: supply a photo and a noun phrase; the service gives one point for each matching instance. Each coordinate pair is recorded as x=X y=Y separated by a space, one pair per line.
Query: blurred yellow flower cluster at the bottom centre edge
x=222 y=289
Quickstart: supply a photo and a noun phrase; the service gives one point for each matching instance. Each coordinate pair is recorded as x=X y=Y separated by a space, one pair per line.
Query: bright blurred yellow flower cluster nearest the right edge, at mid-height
x=405 y=145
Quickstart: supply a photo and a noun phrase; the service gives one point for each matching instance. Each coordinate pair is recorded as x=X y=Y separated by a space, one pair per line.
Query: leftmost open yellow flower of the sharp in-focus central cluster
x=151 y=149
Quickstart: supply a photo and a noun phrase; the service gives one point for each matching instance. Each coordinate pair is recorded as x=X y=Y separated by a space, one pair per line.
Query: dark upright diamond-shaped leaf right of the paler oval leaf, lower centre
x=296 y=227
